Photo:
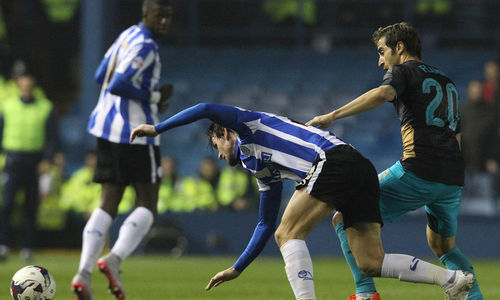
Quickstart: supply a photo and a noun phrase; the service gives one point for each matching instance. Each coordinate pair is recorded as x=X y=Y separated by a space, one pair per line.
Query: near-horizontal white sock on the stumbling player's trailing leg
x=409 y=268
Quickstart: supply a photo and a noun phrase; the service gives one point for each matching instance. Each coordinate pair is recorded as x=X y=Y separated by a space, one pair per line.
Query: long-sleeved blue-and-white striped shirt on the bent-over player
x=273 y=148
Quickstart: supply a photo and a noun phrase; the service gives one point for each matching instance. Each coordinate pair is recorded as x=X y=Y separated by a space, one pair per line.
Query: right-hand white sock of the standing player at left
x=132 y=231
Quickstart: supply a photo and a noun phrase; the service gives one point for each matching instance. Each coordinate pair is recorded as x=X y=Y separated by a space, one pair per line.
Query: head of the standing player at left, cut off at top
x=157 y=16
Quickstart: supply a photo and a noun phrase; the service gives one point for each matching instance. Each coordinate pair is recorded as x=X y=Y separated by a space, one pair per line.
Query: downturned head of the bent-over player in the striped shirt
x=224 y=141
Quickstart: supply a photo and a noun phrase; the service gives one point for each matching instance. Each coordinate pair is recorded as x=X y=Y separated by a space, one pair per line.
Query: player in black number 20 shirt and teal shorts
x=431 y=171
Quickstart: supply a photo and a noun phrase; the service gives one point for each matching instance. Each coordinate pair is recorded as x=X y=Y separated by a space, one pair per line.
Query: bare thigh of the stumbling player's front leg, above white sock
x=301 y=215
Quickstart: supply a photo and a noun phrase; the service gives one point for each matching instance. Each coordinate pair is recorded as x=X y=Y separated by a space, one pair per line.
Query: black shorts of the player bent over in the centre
x=349 y=182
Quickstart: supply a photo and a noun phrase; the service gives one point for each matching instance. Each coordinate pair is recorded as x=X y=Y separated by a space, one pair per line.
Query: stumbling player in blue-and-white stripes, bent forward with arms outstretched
x=331 y=175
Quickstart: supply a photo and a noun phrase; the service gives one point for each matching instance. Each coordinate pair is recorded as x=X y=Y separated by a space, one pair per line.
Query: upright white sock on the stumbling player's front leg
x=298 y=267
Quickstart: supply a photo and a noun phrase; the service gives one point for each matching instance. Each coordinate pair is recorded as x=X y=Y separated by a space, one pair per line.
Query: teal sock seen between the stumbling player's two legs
x=364 y=284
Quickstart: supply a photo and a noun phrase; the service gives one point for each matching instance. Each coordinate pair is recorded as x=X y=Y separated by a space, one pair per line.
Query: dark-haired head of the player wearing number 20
x=395 y=43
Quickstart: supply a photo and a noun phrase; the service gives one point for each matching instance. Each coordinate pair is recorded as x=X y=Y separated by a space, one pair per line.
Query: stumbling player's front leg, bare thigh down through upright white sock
x=301 y=215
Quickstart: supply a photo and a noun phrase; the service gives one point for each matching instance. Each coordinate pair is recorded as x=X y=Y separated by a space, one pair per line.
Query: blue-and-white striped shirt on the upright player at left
x=129 y=73
